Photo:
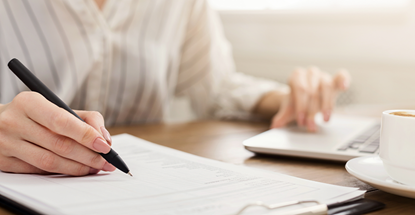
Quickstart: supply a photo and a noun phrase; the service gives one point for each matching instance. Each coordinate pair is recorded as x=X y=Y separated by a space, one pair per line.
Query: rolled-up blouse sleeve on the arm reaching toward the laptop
x=207 y=72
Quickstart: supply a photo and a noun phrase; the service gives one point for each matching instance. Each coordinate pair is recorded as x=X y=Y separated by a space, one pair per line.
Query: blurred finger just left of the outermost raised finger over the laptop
x=326 y=92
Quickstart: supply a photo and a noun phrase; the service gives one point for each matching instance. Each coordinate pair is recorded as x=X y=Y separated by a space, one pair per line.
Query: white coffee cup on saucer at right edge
x=397 y=145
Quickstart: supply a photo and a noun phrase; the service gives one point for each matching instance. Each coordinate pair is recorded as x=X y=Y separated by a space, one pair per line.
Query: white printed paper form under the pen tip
x=165 y=182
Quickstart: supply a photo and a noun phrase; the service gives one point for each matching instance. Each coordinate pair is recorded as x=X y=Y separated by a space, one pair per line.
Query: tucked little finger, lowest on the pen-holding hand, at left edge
x=15 y=165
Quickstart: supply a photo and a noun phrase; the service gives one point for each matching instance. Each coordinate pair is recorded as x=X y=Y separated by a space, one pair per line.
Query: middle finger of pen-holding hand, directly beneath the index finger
x=63 y=146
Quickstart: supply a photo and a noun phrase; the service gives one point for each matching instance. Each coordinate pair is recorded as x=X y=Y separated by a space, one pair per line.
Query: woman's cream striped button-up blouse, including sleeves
x=128 y=60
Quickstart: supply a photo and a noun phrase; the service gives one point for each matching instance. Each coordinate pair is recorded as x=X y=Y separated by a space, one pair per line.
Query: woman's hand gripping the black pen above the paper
x=36 y=136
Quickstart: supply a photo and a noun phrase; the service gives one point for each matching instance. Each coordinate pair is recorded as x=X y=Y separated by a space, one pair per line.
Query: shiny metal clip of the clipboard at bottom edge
x=311 y=210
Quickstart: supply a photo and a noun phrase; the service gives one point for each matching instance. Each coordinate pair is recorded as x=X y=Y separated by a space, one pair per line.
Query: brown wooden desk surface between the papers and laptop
x=222 y=140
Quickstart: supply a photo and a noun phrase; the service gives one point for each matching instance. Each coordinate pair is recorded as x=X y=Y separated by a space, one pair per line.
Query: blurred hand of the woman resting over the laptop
x=312 y=91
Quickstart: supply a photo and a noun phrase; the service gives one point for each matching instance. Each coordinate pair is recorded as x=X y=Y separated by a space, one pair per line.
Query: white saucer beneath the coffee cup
x=370 y=170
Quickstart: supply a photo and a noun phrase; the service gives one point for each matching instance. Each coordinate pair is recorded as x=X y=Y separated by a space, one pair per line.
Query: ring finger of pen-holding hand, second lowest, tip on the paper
x=48 y=161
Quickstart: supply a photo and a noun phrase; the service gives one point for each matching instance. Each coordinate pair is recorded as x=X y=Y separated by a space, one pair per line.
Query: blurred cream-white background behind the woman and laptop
x=373 y=39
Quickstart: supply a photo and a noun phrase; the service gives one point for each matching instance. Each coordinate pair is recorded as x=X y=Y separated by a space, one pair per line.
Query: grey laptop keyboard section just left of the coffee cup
x=368 y=142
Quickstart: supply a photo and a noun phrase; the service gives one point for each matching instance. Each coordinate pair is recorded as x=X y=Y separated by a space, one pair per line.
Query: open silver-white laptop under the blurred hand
x=340 y=139
